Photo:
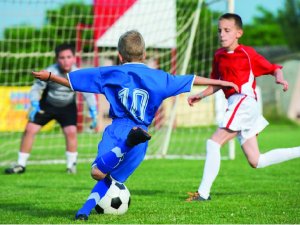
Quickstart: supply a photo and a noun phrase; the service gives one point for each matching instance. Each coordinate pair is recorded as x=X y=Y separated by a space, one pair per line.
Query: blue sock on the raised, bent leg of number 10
x=108 y=161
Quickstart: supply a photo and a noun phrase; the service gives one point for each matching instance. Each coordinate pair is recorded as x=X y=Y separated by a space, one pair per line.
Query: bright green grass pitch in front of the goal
x=45 y=194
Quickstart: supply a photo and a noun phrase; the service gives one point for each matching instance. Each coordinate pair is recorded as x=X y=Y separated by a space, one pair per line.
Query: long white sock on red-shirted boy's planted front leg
x=211 y=167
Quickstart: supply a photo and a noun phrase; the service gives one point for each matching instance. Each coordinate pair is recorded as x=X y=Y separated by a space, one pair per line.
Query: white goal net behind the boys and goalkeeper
x=180 y=37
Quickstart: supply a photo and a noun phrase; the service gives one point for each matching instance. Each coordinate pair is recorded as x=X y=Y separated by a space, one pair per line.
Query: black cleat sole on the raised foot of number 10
x=136 y=136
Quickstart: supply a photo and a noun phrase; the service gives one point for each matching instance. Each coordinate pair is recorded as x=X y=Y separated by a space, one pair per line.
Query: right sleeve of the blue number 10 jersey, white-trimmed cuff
x=178 y=84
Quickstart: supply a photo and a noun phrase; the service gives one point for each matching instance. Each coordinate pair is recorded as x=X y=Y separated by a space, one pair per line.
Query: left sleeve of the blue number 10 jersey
x=86 y=80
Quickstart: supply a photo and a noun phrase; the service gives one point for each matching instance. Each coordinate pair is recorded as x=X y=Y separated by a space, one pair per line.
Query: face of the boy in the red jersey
x=229 y=34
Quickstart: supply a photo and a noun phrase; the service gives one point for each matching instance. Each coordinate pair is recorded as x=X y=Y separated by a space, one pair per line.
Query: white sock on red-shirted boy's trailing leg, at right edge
x=277 y=156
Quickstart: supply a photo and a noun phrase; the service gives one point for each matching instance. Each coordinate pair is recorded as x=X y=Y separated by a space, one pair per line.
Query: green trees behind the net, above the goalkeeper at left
x=60 y=27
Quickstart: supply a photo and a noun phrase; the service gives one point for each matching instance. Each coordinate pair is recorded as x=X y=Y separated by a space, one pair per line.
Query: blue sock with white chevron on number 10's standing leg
x=97 y=193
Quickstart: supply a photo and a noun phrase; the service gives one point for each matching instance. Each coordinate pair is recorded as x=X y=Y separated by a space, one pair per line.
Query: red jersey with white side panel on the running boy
x=240 y=66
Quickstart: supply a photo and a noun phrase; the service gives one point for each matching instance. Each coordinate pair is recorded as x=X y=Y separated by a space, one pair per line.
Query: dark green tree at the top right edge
x=289 y=19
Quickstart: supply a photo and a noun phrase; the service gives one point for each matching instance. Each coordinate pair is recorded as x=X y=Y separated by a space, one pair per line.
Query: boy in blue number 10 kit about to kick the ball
x=135 y=93
